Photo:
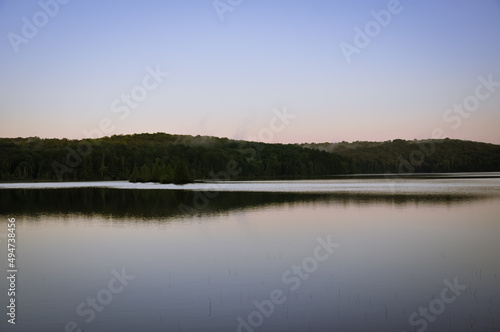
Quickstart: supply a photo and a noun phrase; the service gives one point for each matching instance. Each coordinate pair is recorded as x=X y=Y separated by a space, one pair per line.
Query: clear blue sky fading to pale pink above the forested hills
x=289 y=71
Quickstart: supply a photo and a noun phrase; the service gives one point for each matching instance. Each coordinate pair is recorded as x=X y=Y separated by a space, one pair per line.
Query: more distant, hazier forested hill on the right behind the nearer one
x=416 y=156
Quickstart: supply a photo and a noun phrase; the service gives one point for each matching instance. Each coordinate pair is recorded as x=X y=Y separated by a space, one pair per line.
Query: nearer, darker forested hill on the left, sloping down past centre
x=159 y=157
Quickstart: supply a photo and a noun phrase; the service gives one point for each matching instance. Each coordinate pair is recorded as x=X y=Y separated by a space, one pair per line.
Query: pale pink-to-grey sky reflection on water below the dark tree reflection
x=393 y=258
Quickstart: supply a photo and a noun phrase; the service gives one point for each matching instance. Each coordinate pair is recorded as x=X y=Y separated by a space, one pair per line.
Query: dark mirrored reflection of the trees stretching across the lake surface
x=165 y=203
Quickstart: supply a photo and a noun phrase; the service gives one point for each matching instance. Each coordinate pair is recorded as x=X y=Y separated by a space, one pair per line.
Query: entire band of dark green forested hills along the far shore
x=181 y=158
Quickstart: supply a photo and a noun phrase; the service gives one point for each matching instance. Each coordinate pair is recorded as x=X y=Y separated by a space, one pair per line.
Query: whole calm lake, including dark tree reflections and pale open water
x=377 y=254
